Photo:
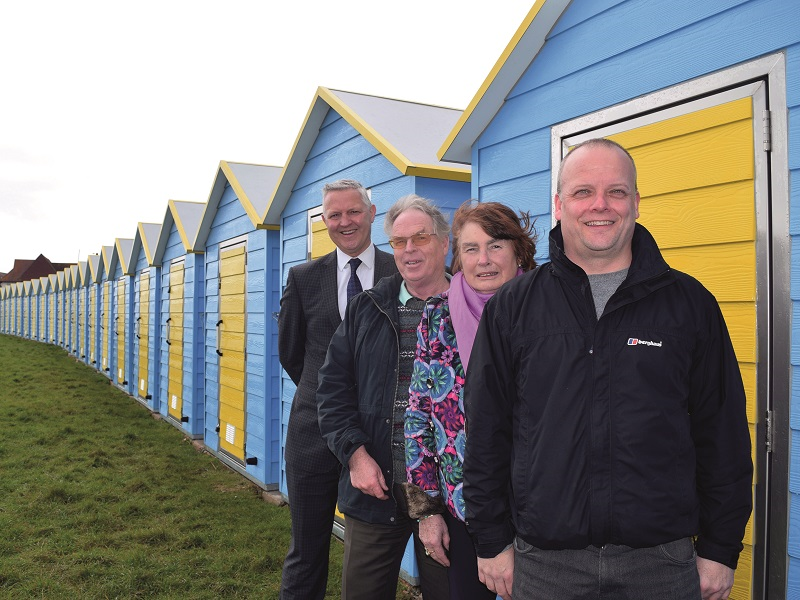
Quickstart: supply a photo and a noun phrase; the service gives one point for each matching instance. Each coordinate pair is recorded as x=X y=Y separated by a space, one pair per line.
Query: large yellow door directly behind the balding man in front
x=696 y=179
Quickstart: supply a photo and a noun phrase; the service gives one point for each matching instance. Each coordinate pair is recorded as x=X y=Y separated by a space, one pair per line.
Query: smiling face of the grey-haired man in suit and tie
x=348 y=220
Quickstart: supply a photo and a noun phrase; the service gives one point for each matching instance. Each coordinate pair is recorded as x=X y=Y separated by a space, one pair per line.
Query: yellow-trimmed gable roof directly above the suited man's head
x=407 y=134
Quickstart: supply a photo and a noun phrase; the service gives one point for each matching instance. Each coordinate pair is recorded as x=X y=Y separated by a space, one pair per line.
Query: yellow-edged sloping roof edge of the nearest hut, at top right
x=512 y=64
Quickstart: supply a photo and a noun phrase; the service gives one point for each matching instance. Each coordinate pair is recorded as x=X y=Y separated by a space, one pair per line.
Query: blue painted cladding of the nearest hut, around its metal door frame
x=604 y=52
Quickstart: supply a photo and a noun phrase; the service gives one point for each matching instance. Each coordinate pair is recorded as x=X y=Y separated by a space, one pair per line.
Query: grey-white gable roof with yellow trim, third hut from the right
x=253 y=185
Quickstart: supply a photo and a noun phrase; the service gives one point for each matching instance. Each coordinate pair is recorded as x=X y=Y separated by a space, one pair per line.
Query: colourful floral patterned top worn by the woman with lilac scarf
x=434 y=421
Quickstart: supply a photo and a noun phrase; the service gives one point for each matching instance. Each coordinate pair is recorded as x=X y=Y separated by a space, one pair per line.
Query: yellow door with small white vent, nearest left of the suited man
x=231 y=351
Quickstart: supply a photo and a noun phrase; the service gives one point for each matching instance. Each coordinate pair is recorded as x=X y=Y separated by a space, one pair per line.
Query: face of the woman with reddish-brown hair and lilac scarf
x=486 y=263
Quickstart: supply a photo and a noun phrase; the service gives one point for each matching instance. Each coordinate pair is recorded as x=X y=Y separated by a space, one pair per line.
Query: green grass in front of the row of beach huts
x=99 y=500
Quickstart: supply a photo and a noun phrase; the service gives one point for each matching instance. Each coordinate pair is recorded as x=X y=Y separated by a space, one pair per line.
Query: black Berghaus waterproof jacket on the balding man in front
x=629 y=429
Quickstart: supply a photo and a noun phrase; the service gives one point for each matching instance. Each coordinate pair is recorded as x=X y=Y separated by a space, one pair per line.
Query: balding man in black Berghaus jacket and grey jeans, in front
x=605 y=413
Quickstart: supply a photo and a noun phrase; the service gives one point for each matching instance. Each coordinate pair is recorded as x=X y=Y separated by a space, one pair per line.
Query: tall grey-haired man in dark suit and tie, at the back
x=312 y=307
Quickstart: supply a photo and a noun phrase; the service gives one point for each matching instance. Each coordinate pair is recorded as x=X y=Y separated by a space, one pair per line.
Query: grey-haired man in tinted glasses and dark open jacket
x=362 y=398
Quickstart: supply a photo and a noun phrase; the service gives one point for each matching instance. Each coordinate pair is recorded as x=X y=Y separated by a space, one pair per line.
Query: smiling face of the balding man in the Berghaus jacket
x=598 y=206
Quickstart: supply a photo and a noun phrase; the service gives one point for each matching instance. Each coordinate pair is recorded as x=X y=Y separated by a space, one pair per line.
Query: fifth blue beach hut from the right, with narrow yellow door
x=146 y=299
